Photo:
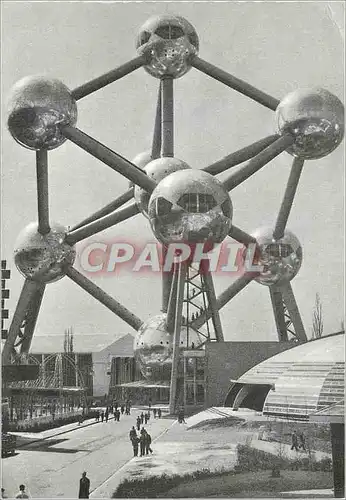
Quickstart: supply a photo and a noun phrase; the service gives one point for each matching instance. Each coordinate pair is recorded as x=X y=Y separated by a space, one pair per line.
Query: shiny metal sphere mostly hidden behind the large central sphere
x=157 y=170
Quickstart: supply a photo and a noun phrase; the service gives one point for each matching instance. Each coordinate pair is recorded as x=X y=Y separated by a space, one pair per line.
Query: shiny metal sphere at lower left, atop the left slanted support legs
x=43 y=258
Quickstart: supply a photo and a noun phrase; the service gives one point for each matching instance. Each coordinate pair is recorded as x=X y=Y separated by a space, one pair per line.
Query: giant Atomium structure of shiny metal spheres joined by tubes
x=183 y=205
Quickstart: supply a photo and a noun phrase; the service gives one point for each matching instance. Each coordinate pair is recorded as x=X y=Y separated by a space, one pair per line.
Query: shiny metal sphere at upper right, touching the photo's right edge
x=315 y=118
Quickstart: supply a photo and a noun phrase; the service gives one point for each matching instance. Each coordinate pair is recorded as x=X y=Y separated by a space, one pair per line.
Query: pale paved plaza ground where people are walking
x=51 y=467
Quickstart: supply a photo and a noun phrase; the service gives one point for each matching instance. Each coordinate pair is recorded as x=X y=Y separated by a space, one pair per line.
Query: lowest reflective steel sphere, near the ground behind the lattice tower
x=153 y=347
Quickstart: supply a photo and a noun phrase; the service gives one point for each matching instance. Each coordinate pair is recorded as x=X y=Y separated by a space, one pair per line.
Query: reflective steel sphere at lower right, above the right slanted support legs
x=281 y=259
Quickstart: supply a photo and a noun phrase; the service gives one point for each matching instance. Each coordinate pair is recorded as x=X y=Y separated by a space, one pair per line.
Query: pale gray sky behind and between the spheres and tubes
x=276 y=47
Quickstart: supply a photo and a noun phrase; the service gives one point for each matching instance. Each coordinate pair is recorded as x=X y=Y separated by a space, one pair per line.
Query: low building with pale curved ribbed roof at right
x=295 y=383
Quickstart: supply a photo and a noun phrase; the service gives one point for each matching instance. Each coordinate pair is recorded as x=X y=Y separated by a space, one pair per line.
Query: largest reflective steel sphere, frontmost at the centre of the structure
x=190 y=206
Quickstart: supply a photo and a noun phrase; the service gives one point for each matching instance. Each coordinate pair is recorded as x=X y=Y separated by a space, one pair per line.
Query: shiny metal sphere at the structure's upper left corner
x=37 y=107
